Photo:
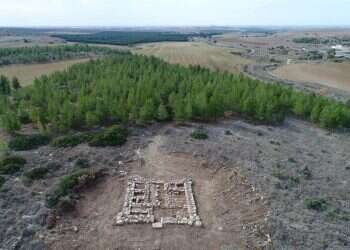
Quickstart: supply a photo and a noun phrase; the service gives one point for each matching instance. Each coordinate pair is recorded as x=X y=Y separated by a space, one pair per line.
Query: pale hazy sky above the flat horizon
x=173 y=12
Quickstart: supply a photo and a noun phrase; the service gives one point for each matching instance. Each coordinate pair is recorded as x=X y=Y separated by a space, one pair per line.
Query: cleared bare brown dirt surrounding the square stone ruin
x=231 y=211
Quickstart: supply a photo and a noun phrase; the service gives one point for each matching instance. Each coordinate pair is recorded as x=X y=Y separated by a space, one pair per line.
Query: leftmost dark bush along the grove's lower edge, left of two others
x=28 y=142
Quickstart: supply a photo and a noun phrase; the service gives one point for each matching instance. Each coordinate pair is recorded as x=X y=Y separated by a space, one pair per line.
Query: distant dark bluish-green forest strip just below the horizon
x=129 y=37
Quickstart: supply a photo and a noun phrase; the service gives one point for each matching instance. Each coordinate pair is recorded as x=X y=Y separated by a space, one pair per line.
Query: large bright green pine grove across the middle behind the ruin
x=134 y=88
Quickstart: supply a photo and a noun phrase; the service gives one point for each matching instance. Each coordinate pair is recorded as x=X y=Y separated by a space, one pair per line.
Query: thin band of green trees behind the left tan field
x=38 y=54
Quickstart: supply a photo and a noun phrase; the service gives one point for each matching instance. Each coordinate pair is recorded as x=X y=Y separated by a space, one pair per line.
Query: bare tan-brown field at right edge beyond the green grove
x=336 y=75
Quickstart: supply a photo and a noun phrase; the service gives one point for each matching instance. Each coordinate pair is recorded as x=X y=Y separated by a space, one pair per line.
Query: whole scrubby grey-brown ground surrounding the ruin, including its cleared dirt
x=250 y=183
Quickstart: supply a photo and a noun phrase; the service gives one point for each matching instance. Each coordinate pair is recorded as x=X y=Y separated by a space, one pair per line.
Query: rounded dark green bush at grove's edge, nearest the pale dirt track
x=113 y=136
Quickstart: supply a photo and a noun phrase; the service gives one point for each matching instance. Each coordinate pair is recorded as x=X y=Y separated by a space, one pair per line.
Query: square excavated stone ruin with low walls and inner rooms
x=159 y=202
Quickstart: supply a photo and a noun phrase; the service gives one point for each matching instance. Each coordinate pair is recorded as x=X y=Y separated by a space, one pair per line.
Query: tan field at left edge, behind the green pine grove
x=27 y=73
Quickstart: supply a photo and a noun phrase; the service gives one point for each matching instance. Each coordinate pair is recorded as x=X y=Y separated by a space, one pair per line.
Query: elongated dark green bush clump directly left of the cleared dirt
x=70 y=184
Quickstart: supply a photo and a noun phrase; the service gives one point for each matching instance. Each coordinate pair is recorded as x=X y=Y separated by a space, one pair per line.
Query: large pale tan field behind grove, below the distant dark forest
x=193 y=53
